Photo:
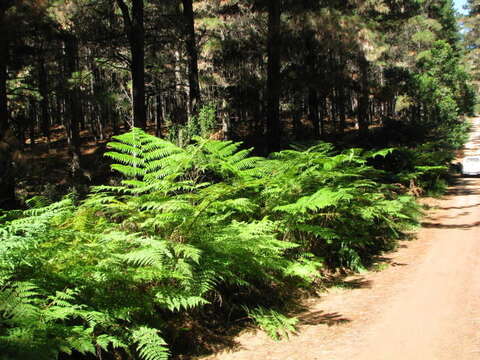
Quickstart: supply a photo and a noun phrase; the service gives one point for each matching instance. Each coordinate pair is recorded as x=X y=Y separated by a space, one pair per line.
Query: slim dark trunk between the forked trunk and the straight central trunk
x=192 y=58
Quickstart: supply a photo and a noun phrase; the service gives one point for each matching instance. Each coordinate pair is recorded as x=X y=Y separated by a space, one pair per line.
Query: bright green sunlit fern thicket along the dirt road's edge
x=122 y=271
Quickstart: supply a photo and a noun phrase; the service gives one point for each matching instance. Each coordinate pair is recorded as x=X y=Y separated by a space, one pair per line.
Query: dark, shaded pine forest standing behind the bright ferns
x=269 y=73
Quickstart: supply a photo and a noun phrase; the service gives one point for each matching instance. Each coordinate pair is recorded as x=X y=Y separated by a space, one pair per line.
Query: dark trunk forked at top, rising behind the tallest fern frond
x=135 y=31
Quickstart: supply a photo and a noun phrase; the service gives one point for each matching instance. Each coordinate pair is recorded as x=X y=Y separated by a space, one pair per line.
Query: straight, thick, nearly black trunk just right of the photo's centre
x=273 y=132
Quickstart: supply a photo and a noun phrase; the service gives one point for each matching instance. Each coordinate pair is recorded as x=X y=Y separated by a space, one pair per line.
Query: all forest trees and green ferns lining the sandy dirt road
x=263 y=177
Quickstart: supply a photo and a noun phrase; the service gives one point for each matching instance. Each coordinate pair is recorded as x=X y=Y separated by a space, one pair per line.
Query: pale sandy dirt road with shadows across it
x=423 y=304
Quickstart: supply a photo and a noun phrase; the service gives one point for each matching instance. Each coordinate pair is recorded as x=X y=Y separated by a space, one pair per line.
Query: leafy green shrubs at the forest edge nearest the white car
x=428 y=128
